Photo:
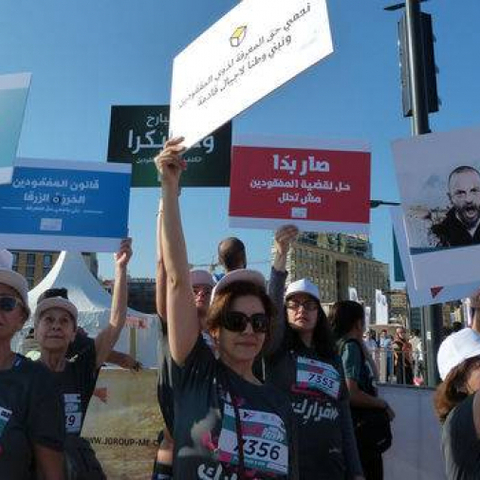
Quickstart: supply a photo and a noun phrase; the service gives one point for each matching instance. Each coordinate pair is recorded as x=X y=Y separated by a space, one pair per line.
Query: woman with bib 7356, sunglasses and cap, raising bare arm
x=227 y=424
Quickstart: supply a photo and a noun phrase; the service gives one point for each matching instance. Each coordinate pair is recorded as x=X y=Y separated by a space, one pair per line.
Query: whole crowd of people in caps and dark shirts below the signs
x=255 y=380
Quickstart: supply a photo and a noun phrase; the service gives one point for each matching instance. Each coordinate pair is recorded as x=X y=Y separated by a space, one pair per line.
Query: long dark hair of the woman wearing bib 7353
x=322 y=340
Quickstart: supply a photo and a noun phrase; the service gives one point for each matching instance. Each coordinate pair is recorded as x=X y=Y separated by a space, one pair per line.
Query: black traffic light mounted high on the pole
x=428 y=40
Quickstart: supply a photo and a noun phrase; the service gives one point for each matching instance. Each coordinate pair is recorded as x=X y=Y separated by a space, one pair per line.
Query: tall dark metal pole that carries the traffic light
x=415 y=65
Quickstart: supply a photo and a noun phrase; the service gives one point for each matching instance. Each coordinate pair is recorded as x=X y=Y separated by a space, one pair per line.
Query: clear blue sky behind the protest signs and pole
x=86 y=55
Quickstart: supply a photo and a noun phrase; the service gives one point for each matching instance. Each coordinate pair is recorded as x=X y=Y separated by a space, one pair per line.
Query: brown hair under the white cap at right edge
x=451 y=392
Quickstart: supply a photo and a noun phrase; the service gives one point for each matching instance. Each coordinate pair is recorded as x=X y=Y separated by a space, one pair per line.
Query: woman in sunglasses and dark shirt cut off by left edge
x=31 y=420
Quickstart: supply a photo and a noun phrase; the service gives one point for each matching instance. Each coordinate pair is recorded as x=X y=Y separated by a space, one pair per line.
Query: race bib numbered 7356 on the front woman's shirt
x=265 y=444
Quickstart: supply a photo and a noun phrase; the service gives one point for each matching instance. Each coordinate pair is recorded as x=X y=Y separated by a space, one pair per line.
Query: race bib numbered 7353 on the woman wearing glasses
x=314 y=375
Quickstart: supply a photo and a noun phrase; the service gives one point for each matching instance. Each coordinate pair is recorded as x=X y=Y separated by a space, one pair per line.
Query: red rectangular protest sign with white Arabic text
x=315 y=189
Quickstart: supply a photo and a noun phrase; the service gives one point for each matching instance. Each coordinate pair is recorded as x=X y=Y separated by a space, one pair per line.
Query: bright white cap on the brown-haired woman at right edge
x=457 y=348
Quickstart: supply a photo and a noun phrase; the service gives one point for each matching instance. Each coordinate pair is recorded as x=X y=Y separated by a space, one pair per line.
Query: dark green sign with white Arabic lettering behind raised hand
x=138 y=133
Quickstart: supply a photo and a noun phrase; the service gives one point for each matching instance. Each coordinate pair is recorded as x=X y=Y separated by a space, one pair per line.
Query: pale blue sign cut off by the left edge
x=13 y=98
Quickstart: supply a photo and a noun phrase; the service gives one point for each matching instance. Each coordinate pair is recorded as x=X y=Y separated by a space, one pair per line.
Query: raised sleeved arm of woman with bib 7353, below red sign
x=284 y=237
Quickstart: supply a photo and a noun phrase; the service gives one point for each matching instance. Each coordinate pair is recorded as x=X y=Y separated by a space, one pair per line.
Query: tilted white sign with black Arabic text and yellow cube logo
x=251 y=51
